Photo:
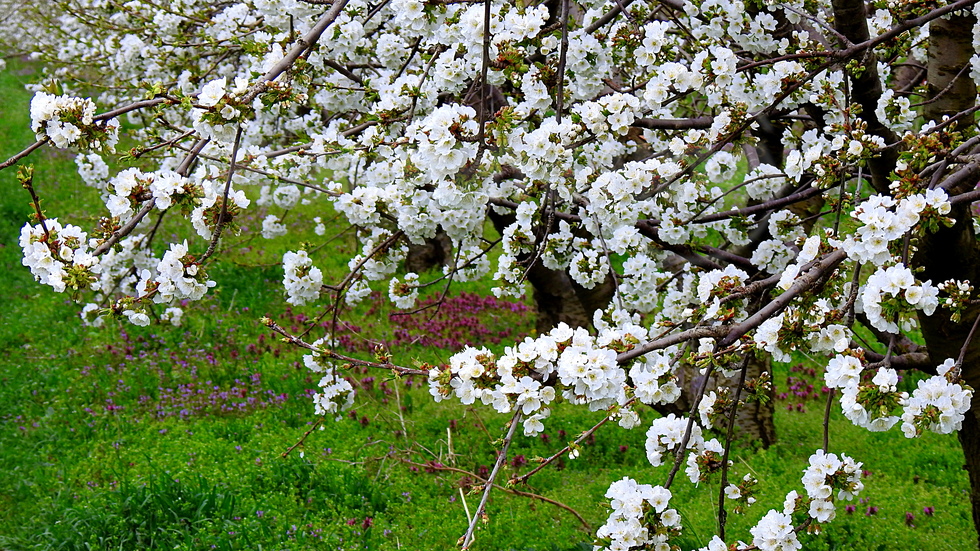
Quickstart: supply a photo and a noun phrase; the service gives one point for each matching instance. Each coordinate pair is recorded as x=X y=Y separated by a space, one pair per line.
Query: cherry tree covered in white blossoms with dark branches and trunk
x=713 y=184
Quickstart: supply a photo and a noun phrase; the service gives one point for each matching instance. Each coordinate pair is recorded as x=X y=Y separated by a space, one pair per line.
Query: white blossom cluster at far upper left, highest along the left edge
x=69 y=120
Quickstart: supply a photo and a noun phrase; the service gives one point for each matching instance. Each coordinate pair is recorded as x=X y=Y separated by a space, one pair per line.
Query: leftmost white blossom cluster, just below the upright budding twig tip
x=59 y=256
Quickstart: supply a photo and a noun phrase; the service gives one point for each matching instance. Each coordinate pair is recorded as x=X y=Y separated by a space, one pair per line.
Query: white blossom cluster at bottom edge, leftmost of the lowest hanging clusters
x=640 y=518
